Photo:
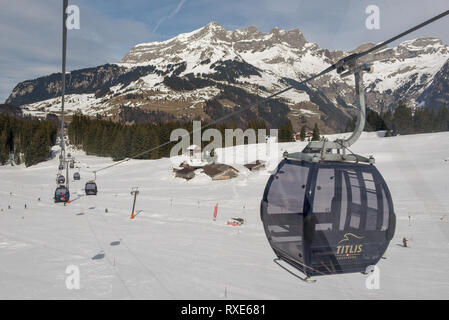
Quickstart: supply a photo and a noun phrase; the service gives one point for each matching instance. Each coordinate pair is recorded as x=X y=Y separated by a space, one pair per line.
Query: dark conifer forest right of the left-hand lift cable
x=119 y=141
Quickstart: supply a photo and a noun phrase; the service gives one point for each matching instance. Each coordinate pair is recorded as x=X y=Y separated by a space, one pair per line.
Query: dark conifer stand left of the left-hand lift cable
x=28 y=140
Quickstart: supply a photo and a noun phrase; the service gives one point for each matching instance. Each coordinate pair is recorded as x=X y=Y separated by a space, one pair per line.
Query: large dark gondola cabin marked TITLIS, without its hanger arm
x=327 y=217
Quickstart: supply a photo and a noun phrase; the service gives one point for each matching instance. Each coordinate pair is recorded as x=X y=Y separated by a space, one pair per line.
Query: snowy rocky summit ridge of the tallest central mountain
x=213 y=42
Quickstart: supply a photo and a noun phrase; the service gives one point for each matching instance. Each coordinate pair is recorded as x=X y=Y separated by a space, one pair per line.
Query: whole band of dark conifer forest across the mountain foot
x=29 y=140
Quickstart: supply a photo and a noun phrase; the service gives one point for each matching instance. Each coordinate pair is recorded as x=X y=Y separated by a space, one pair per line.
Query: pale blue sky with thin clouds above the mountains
x=30 y=30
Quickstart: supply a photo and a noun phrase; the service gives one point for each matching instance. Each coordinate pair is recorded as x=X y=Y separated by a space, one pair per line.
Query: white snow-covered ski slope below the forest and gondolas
x=173 y=249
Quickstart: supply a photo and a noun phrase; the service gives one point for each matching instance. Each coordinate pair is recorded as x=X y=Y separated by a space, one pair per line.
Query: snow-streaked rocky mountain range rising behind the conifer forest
x=209 y=72
